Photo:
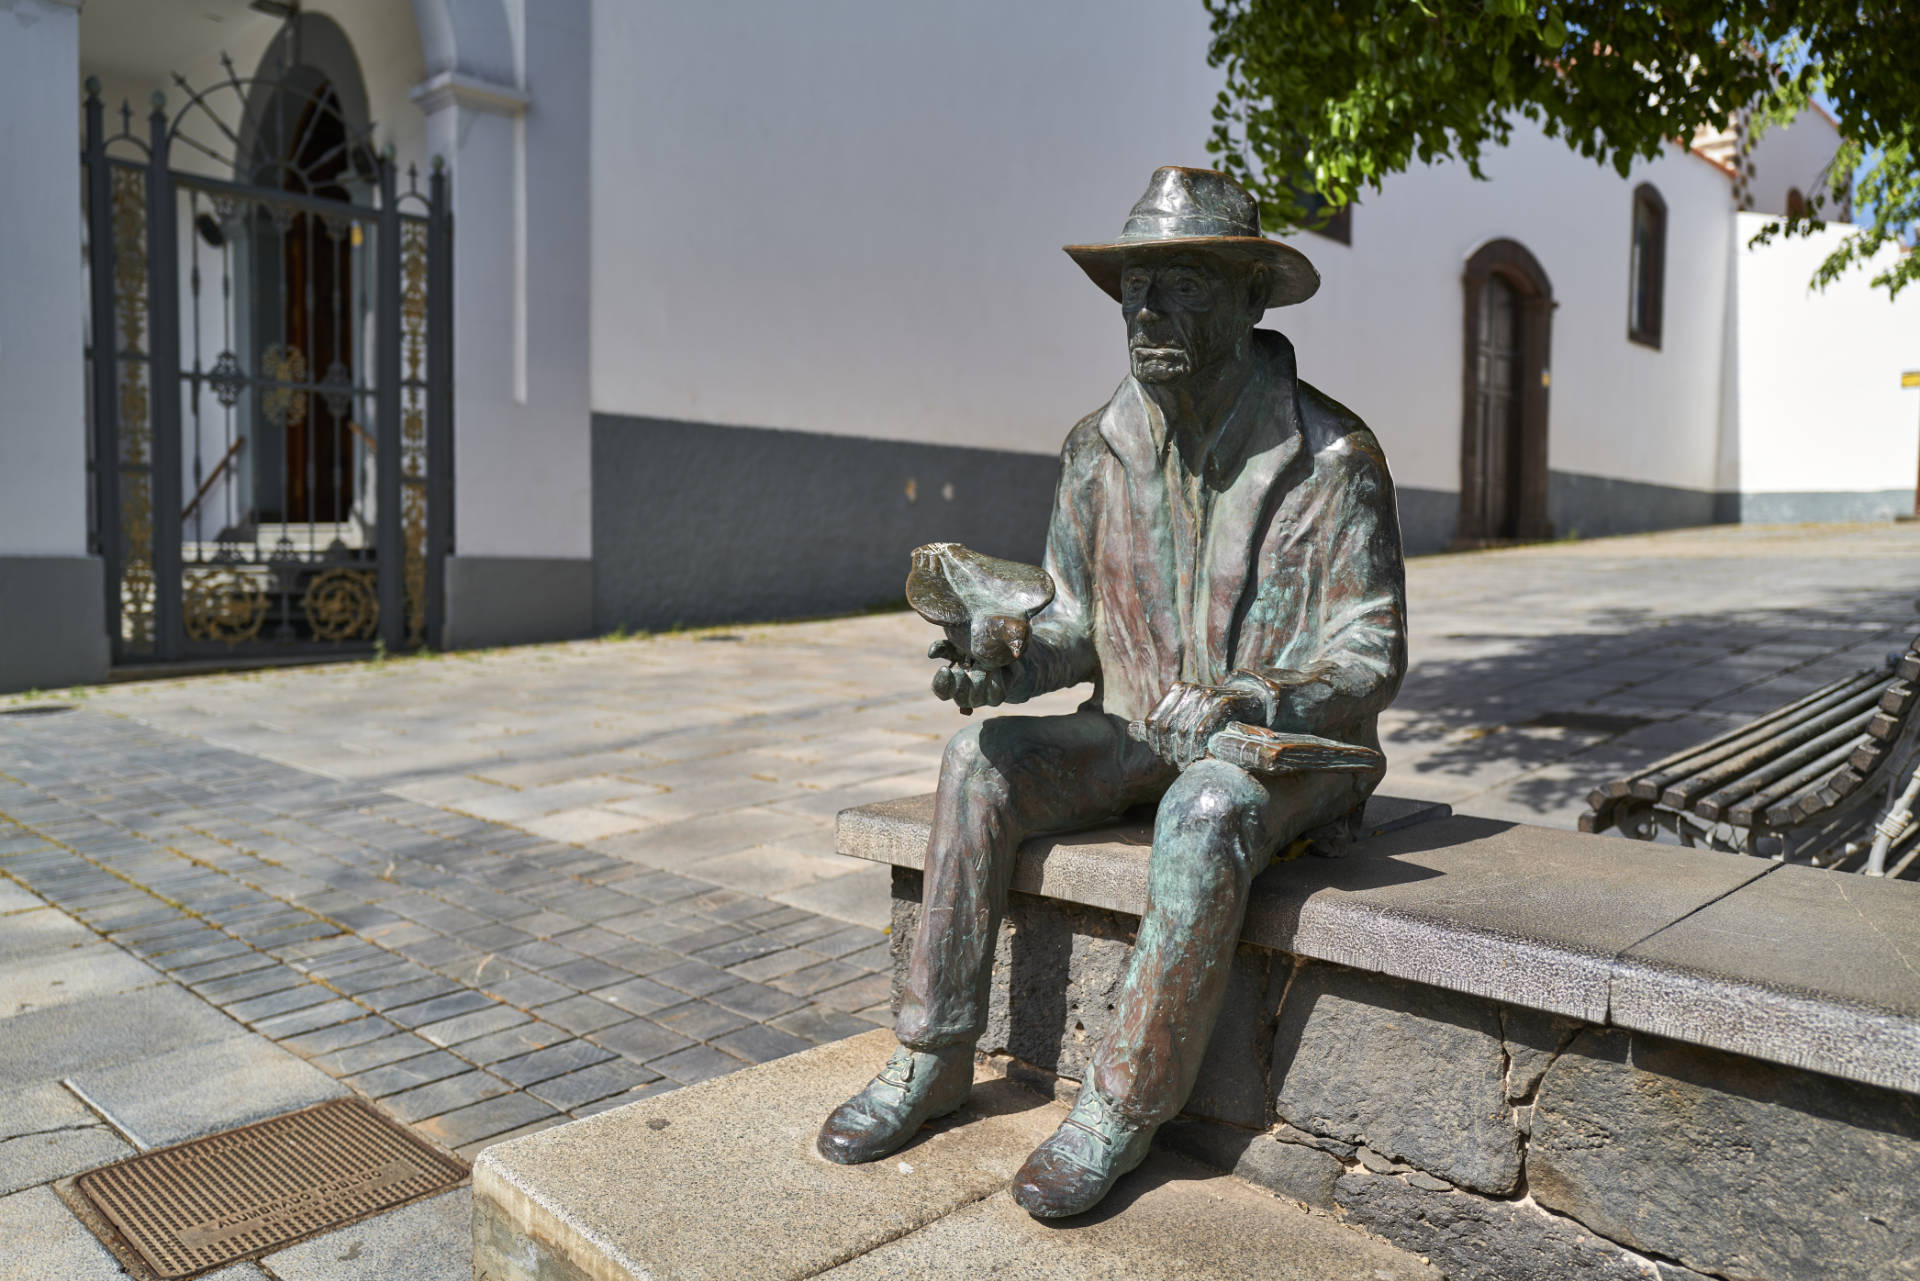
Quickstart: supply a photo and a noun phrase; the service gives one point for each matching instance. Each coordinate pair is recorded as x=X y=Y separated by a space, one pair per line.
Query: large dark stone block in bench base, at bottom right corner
x=1729 y=1165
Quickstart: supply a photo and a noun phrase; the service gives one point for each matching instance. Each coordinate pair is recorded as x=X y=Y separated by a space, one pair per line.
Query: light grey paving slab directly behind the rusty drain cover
x=204 y=1088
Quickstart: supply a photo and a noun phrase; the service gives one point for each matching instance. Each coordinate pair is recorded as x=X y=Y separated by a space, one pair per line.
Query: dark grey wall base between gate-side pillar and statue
x=698 y=525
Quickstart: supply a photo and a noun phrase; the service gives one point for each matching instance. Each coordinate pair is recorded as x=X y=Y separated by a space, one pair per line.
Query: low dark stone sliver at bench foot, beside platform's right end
x=1474 y=1240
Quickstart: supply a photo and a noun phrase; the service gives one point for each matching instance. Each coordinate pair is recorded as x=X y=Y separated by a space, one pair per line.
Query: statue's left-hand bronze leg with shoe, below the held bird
x=1001 y=783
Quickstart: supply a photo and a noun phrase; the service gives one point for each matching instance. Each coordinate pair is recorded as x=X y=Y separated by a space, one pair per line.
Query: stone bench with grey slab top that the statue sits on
x=1520 y=1051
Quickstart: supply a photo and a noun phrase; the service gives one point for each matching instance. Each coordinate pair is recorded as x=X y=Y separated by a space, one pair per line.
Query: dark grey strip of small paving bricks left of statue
x=475 y=979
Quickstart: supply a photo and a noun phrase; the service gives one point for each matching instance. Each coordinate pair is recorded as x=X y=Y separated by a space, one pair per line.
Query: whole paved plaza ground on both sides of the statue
x=502 y=890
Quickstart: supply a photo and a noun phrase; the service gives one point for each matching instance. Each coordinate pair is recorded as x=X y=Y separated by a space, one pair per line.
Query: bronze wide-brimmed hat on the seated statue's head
x=1199 y=210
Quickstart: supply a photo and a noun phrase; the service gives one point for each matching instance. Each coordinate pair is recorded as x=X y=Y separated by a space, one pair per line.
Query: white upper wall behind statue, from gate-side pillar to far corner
x=863 y=237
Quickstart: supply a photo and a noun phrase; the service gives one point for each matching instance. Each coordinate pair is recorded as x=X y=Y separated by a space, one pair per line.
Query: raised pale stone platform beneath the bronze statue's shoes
x=721 y=1182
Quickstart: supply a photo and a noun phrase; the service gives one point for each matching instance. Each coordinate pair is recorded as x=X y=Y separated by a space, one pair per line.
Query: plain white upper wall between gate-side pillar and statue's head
x=848 y=216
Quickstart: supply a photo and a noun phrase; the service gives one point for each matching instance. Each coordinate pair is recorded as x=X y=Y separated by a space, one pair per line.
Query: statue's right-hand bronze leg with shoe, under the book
x=1218 y=827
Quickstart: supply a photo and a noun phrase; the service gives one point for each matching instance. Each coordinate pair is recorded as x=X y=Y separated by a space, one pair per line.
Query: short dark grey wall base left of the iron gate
x=53 y=623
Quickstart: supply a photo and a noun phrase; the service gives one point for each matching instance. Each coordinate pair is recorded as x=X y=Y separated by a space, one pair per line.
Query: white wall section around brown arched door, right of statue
x=1385 y=331
